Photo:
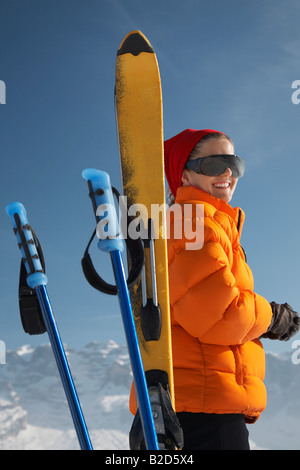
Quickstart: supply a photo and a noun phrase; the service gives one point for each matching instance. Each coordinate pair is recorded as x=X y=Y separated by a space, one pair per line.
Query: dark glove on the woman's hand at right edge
x=285 y=322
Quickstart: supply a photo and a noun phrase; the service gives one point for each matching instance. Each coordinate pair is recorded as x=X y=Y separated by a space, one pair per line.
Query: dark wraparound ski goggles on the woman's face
x=216 y=165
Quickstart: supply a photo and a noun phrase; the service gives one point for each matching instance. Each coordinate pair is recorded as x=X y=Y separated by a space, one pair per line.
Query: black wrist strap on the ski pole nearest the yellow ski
x=135 y=251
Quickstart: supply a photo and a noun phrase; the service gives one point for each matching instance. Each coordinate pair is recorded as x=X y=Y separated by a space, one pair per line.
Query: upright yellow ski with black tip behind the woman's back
x=138 y=101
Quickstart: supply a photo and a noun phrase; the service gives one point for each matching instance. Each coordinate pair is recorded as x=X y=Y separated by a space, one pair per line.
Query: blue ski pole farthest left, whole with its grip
x=37 y=279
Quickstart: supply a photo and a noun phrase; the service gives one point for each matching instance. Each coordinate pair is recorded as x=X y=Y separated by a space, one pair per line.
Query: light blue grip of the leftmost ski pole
x=22 y=229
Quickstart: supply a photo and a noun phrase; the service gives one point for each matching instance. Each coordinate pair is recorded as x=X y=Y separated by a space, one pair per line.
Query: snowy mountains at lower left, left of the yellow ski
x=34 y=413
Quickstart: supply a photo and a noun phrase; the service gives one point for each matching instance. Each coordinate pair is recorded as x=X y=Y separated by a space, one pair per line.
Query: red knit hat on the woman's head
x=177 y=151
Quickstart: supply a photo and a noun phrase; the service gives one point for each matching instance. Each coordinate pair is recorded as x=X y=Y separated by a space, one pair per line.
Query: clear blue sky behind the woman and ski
x=224 y=65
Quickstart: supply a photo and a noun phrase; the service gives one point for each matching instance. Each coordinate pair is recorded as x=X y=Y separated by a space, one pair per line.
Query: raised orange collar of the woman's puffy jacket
x=192 y=193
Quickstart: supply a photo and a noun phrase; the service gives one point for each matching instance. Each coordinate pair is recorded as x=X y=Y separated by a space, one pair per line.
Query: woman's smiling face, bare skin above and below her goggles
x=219 y=186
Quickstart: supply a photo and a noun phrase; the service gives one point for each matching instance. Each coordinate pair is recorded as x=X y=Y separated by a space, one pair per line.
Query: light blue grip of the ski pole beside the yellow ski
x=104 y=207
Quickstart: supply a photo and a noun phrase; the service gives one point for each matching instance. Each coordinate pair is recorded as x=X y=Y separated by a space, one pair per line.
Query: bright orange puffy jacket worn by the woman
x=219 y=362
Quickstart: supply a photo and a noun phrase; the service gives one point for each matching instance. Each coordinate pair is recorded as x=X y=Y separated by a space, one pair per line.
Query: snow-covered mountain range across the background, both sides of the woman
x=34 y=413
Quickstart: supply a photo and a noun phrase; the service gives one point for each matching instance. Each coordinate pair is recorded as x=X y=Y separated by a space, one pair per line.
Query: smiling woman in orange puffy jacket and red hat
x=219 y=362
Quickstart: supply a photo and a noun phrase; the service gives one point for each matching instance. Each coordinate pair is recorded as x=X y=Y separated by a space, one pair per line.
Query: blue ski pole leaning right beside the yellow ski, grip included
x=110 y=241
